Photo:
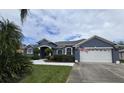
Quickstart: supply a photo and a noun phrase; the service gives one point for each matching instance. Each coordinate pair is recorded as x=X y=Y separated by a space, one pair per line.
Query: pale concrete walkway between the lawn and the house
x=42 y=62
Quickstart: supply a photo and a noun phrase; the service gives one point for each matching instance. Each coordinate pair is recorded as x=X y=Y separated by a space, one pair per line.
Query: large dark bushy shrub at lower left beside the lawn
x=17 y=67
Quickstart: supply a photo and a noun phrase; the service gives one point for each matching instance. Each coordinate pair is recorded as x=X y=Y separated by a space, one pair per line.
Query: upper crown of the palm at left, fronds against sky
x=10 y=37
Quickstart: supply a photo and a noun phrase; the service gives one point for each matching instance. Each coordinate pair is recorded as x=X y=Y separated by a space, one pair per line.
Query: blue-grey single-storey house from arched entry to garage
x=94 y=49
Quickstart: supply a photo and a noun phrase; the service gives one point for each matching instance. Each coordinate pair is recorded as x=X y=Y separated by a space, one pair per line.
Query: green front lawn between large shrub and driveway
x=48 y=74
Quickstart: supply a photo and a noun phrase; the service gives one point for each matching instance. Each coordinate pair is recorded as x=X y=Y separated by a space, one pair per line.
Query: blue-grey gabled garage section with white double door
x=96 y=49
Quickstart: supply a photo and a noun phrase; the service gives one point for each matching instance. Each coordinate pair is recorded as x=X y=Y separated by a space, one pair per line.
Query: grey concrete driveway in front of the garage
x=97 y=73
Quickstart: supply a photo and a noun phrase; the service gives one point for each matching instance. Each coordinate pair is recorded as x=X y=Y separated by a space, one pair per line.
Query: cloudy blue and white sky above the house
x=59 y=25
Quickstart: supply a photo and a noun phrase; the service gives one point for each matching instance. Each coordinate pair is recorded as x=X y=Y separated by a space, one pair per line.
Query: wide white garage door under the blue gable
x=96 y=55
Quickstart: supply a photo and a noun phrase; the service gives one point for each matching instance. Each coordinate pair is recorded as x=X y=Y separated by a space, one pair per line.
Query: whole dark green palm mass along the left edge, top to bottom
x=12 y=64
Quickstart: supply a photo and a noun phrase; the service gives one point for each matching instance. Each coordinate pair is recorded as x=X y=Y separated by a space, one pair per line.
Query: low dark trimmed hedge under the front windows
x=62 y=58
